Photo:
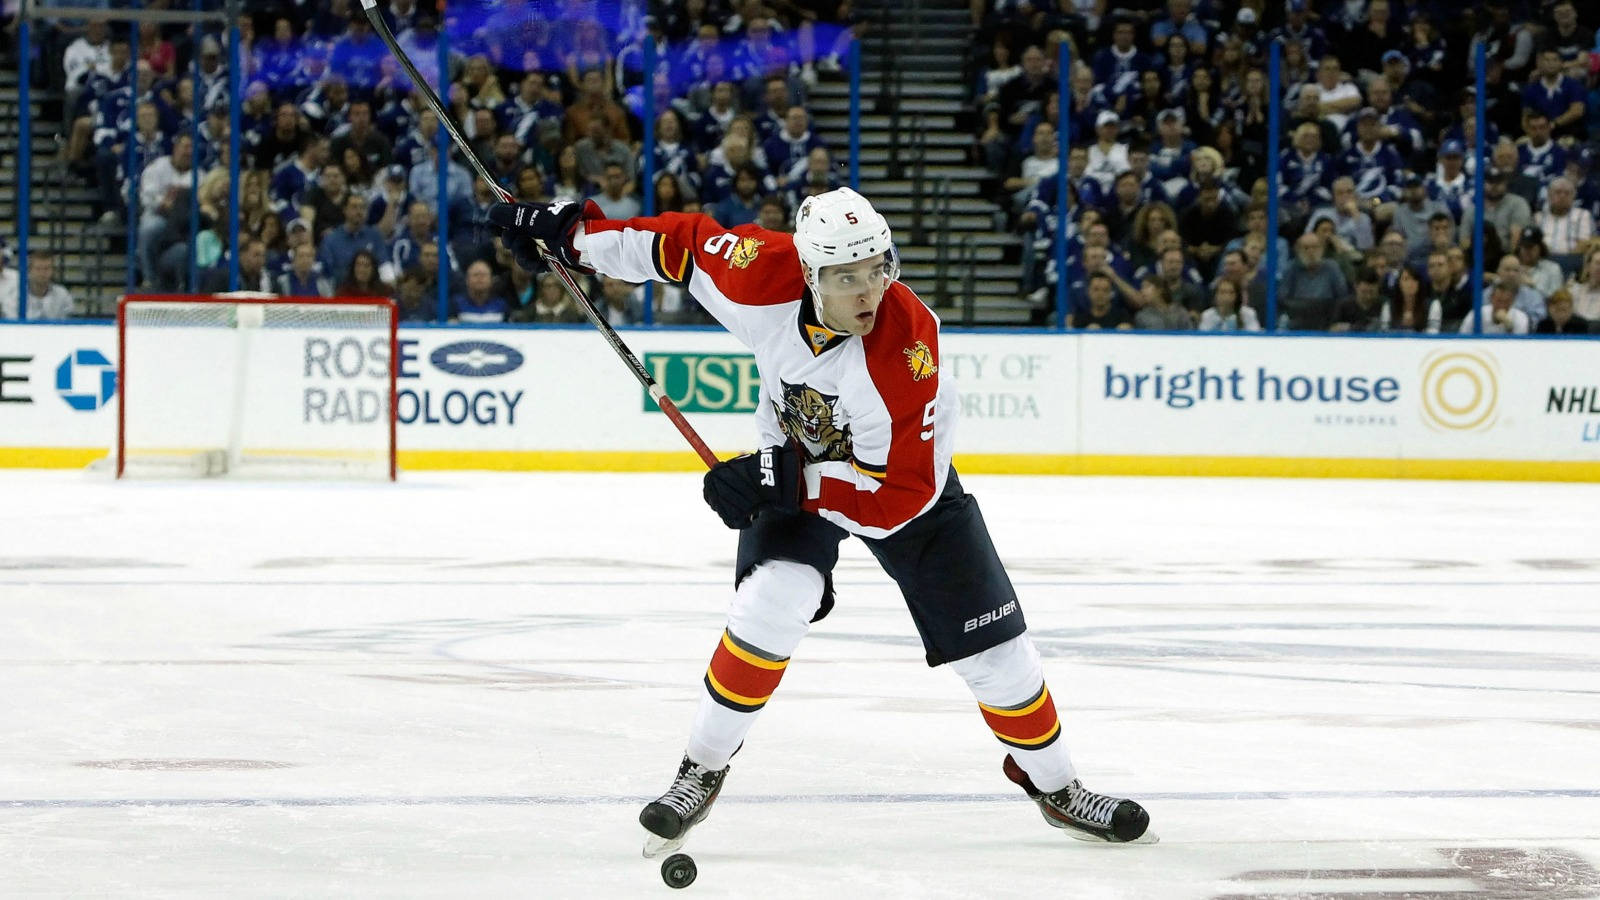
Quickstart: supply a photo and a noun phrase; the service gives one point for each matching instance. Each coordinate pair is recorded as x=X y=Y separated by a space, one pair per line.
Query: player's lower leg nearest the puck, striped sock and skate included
x=772 y=611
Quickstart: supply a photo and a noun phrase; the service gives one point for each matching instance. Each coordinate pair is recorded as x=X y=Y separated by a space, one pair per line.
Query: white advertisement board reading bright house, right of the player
x=1330 y=398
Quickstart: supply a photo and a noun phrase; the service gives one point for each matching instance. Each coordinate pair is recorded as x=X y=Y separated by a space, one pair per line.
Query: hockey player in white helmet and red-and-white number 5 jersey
x=857 y=438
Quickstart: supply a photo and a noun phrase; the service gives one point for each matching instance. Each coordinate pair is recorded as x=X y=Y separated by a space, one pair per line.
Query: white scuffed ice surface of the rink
x=466 y=685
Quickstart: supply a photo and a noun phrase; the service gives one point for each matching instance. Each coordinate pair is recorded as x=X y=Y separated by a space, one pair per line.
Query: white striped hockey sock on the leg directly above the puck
x=772 y=611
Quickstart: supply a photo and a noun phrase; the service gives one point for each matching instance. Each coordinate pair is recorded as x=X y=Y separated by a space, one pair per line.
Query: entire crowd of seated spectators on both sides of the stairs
x=1167 y=215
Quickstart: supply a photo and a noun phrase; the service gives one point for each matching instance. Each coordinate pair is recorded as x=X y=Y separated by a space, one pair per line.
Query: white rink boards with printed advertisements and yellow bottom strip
x=1031 y=403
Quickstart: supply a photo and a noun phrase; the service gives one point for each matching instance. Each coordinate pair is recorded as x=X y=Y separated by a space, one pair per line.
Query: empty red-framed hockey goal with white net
x=257 y=387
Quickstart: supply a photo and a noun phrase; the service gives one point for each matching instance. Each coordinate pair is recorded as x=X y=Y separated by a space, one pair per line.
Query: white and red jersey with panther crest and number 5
x=873 y=414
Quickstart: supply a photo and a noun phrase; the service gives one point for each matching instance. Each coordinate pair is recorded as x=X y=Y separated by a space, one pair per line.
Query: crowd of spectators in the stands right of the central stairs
x=1167 y=174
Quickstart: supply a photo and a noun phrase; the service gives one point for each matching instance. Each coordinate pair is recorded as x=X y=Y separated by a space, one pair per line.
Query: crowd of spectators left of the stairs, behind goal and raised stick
x=342 y=158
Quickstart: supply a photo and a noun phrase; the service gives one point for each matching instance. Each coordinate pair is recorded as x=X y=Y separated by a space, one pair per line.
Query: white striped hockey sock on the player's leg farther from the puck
x=1009 y=683
